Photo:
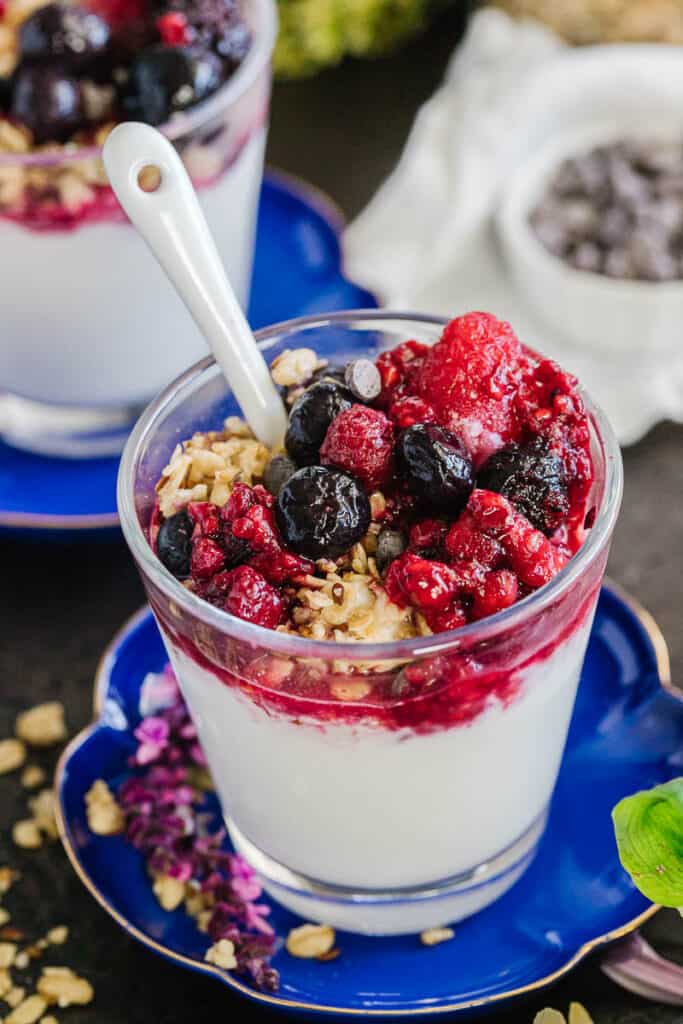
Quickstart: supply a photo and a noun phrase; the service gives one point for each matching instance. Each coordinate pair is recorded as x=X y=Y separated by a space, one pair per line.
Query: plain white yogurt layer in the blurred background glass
x=90 y=319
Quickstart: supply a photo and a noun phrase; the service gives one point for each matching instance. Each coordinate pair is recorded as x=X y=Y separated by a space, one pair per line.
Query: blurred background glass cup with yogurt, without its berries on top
x=92 y=327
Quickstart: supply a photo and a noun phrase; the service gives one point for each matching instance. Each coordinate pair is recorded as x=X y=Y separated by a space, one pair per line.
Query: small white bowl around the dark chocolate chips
x=582 y=100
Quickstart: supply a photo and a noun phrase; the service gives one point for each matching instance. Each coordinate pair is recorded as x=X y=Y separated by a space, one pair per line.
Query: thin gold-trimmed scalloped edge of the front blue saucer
x=661 y=653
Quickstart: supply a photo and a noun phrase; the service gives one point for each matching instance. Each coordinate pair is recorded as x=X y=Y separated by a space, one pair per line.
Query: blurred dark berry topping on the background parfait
x=72 y=69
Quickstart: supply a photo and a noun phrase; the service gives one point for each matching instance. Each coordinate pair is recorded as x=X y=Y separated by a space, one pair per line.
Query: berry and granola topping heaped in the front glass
x=432 y=489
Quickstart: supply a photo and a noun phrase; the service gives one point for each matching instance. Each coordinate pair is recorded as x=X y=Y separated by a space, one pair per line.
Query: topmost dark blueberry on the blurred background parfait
x=63 y=32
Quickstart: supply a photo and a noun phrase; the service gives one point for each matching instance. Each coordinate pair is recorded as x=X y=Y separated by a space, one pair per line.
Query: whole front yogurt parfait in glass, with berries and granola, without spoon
x=379 y=627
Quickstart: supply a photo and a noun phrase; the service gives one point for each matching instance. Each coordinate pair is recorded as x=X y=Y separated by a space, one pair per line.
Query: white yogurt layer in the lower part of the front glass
x=365 y=807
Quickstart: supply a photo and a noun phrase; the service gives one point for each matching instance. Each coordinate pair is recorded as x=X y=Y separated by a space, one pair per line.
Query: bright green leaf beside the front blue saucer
x=650 y=837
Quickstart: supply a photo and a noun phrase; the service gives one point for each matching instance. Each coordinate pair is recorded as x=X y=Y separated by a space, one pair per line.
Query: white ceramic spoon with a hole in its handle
x=172 y=223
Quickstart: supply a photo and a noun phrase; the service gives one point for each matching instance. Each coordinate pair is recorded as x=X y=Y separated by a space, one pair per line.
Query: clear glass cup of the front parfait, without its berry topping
x=377 y=818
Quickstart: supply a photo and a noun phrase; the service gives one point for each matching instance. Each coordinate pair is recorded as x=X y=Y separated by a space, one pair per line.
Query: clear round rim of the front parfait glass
x=297 y=647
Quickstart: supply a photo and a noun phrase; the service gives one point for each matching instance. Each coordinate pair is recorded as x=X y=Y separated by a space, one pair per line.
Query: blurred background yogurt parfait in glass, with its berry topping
x=92 y=328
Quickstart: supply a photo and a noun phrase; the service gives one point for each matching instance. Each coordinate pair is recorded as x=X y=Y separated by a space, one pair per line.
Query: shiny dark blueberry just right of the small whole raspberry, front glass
x=437 y=467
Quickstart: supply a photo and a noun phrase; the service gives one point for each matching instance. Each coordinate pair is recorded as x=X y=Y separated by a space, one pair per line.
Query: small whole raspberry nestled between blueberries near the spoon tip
x=360 y=442
